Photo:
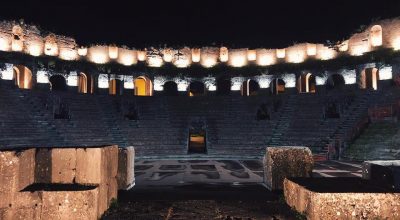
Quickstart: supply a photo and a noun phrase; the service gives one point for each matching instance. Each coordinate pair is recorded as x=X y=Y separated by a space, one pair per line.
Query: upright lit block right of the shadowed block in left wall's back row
x=63 y=165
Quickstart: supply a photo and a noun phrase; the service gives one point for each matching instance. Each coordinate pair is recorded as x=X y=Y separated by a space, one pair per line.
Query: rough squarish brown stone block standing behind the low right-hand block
x=284 y=162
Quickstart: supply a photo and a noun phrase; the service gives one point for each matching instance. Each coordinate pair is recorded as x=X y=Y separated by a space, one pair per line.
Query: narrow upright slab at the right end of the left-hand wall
x=126 y=168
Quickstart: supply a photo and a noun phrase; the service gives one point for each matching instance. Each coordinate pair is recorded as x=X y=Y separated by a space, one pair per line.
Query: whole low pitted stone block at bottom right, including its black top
x=341 y=198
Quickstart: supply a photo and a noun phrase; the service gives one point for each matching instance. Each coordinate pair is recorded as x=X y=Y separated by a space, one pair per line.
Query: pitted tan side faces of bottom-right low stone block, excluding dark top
x=319 y=206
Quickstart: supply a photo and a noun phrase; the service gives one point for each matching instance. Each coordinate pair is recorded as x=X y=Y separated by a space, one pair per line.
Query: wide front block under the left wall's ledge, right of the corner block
x=77 y=205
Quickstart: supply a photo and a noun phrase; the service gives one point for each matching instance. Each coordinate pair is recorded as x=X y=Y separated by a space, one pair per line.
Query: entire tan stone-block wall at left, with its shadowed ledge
x=96 y=167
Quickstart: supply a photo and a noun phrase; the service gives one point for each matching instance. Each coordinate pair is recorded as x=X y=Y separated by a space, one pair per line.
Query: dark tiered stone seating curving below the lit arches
x=162 y=127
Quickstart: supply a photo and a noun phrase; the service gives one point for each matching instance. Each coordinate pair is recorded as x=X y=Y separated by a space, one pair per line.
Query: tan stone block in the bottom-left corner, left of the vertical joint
x=24 y=205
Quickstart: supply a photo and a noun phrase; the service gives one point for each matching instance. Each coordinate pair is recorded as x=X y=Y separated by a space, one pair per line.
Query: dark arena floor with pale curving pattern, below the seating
x=187 y=172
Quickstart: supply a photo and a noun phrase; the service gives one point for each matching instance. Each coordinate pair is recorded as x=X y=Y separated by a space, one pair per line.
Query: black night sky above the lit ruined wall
x=233 y=23
